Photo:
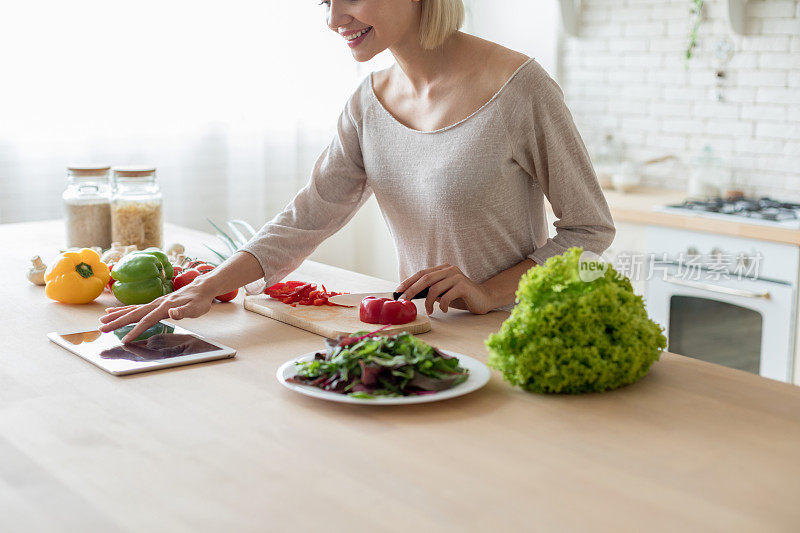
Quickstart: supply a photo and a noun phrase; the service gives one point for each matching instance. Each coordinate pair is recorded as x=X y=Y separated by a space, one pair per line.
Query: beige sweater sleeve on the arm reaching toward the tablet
x=335 y=192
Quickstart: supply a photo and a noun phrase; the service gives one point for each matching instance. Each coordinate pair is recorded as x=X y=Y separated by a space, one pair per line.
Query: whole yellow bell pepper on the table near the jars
x=76 y=277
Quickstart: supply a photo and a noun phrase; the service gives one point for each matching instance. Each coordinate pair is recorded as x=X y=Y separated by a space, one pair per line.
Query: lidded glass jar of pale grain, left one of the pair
x=87 y=206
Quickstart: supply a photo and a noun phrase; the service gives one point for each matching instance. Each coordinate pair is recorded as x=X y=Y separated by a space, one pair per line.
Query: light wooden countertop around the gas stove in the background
x=638 y=208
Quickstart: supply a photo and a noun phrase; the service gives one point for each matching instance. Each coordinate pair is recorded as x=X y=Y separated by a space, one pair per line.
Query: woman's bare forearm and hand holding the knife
x=451 y=288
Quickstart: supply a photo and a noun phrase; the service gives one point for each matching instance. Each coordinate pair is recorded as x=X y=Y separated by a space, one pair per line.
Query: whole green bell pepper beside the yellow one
x=142 y=277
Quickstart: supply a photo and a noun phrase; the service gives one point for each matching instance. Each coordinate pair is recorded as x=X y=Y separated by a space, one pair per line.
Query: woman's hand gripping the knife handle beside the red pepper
x=450 y=287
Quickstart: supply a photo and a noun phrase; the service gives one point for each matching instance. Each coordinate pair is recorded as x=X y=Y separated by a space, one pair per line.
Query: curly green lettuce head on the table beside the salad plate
x=566 y=335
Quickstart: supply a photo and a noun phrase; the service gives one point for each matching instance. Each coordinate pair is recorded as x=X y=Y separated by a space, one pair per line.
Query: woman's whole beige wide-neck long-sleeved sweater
x=471 y=194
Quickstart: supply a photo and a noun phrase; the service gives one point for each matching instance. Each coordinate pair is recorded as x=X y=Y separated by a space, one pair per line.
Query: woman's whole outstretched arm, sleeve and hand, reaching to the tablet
x=336 y=190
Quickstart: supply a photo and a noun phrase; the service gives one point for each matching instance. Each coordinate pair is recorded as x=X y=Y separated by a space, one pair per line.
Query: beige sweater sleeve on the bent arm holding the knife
x=547 y=145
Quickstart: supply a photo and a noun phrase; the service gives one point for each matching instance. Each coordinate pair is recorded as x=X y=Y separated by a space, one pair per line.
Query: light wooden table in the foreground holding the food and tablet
x=223 y=447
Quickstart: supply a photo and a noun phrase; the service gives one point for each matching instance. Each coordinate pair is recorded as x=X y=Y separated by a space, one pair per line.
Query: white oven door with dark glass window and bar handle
x=745 y=324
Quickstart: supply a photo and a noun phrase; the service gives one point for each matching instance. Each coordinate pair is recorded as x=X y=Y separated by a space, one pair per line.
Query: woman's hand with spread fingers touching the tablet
x=190 y=301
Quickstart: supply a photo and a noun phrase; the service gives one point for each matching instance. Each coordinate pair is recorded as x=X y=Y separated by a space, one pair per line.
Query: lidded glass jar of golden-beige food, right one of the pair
x=136 y=208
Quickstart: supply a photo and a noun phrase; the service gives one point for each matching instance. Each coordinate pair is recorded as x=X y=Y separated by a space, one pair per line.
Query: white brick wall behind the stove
x=626 y=74
